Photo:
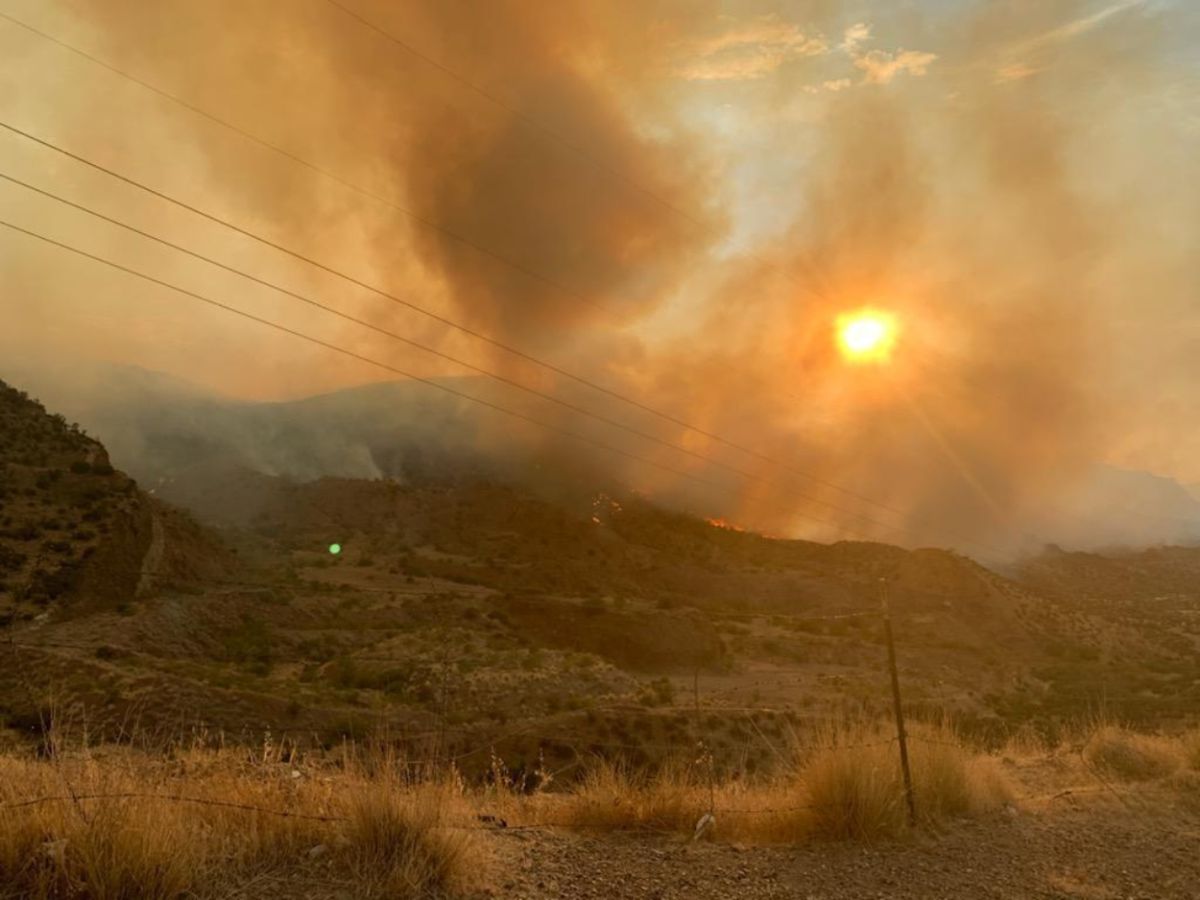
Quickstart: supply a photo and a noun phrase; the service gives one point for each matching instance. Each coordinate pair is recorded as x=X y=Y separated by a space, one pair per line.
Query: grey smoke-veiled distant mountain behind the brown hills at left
x=159 y=428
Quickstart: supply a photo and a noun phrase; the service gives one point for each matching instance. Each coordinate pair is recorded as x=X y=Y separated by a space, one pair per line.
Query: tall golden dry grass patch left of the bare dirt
x=123 y=839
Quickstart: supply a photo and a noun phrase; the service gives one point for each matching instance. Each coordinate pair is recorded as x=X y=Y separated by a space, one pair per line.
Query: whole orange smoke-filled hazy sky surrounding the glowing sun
x=675 y=199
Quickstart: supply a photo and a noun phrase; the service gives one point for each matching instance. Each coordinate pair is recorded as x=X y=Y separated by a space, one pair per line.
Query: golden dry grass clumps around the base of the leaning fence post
x=845 y=784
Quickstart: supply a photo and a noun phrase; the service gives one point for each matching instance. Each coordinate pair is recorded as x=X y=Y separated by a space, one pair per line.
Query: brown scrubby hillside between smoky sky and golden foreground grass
x=465 y=611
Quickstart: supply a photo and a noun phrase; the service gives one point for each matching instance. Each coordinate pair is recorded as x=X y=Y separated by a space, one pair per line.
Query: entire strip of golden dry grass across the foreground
x=129 y=825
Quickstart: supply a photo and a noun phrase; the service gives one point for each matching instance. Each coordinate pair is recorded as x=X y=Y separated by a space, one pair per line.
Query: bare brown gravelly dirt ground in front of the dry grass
x=1095 y=851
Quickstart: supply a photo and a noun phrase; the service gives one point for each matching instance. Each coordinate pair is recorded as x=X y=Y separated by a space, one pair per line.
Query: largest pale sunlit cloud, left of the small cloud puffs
x=751 y=51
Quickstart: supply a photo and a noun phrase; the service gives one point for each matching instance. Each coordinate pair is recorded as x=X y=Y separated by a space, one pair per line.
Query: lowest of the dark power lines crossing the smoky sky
x=404 y=374
